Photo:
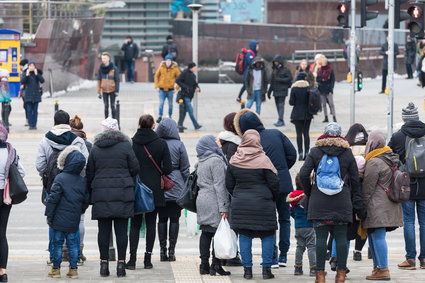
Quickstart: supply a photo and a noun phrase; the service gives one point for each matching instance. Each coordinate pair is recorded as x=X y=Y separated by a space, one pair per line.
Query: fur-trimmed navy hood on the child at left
x=71 y=160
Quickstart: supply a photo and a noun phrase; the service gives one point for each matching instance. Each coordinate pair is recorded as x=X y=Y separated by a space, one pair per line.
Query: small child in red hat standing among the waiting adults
x=304 y=231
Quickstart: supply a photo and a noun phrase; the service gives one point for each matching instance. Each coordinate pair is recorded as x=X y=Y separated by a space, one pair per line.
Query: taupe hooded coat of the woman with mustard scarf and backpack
x=381 y=212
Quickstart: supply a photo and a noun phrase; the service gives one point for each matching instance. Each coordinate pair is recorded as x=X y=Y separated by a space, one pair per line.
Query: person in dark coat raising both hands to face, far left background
x=32 y=93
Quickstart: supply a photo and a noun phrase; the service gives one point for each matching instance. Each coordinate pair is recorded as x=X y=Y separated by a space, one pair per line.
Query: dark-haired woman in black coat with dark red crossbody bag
x=147 y=140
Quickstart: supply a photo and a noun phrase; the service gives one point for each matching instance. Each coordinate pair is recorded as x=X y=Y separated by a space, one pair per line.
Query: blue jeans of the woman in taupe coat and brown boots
x=379 y=248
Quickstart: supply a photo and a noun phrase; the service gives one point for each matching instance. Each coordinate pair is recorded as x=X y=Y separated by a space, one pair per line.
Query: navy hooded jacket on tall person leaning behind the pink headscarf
x=275 y=144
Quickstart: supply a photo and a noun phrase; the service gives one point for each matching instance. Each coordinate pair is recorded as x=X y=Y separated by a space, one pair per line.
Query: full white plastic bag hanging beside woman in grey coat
x=225 y=241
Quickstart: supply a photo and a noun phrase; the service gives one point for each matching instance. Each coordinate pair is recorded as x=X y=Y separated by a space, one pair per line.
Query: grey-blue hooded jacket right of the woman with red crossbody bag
x=167 y=130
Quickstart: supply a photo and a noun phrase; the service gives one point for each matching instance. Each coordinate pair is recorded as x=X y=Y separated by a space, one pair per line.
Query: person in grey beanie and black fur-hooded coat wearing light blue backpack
x=332 y=213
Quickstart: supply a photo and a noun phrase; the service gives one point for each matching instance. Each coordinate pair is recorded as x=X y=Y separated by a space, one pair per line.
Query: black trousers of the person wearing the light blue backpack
x=339 y=233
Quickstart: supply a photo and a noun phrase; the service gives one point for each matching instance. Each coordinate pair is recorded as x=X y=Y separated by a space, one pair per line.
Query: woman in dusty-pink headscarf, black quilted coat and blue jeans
x=252 y=181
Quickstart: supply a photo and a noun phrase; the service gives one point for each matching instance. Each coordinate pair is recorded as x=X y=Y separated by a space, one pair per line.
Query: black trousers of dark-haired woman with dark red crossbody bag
x=136 y=224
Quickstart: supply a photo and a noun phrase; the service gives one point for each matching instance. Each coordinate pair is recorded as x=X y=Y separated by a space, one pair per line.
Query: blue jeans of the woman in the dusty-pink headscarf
x=267 y=245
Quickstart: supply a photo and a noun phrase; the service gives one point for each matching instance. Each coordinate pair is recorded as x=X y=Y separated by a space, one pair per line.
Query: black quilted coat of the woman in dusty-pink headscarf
x=253 y=206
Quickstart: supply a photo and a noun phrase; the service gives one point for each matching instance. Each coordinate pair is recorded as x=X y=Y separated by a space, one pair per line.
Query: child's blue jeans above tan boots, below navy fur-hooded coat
x=73 y=244
